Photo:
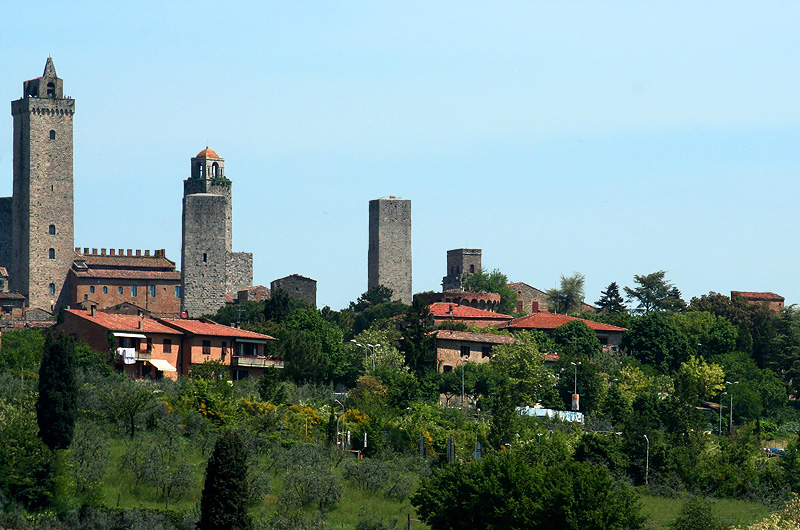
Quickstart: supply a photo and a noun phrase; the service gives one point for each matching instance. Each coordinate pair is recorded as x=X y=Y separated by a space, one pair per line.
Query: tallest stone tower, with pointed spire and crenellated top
x=42 y=212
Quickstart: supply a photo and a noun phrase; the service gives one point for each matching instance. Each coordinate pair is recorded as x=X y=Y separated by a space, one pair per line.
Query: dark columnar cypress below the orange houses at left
x=58 y=394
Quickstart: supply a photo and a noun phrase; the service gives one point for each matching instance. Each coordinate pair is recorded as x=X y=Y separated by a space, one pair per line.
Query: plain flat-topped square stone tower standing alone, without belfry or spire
x=389 y=255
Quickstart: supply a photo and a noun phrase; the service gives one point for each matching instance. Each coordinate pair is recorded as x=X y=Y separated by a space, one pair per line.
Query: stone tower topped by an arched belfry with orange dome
x=209 y=267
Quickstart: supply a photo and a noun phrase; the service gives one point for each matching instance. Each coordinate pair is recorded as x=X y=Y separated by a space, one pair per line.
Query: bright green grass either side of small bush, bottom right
x=662 y=511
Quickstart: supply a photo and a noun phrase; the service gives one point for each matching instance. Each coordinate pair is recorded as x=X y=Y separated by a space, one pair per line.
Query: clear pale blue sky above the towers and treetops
x=611 y=139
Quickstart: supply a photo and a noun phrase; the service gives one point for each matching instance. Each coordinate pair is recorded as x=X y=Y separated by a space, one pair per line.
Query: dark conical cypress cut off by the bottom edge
x=223 y=505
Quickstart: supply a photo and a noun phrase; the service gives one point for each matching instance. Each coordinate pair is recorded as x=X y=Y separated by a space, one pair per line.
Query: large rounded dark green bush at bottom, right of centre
x=525 y=495
